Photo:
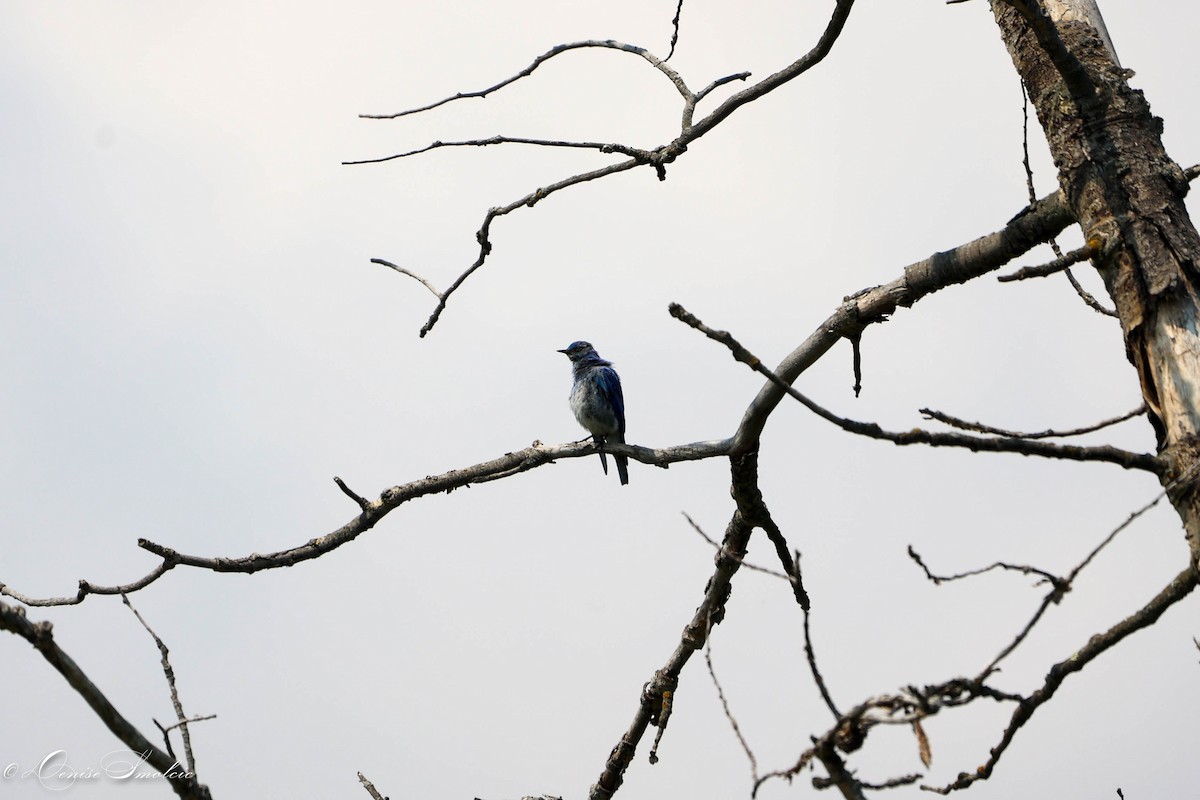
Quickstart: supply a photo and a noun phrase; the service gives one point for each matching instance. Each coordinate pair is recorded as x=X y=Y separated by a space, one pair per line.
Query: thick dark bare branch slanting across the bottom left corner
x=41 y=636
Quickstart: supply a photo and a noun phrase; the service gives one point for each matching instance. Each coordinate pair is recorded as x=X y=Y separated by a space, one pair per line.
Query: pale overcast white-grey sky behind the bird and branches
x=194 y=344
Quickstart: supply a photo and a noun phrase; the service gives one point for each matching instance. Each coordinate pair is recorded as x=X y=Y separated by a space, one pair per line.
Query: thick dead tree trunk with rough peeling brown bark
x=1127 y=195
